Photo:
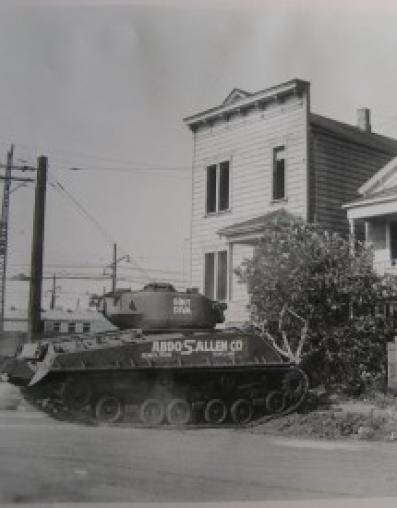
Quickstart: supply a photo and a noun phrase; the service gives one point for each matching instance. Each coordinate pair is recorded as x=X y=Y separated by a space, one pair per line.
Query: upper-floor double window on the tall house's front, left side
x=218 y=187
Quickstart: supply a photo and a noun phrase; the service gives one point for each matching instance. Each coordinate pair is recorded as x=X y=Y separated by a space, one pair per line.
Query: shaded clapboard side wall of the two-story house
x=338 y=167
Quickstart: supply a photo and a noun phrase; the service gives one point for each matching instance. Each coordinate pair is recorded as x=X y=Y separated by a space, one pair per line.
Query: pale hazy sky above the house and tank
x=104 y=87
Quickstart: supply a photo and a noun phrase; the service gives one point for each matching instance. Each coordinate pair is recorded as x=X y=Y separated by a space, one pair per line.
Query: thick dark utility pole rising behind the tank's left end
x=36 y=272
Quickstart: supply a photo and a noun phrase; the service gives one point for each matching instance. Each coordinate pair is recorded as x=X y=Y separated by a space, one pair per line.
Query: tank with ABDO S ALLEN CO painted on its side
x=175 y=368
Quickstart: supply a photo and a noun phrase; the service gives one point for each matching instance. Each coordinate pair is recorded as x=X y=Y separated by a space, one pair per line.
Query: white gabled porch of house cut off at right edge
x=377 y=210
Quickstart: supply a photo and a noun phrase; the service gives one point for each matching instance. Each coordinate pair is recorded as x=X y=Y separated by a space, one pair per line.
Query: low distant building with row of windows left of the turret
x=57 y=322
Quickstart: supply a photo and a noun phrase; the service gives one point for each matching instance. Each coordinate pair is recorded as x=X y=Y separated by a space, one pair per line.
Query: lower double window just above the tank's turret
x=215 y=275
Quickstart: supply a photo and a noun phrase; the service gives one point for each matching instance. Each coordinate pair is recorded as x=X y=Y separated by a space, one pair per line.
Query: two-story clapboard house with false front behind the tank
x=257 y=153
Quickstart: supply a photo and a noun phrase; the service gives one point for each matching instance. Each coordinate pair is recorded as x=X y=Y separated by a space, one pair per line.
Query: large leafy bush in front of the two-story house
x=313 y=296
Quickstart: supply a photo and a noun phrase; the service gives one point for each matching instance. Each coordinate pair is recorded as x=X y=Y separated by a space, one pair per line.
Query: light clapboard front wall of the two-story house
x=247 y=142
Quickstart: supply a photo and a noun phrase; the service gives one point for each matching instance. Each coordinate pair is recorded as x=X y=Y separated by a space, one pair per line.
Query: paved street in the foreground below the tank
x=46 y=461
